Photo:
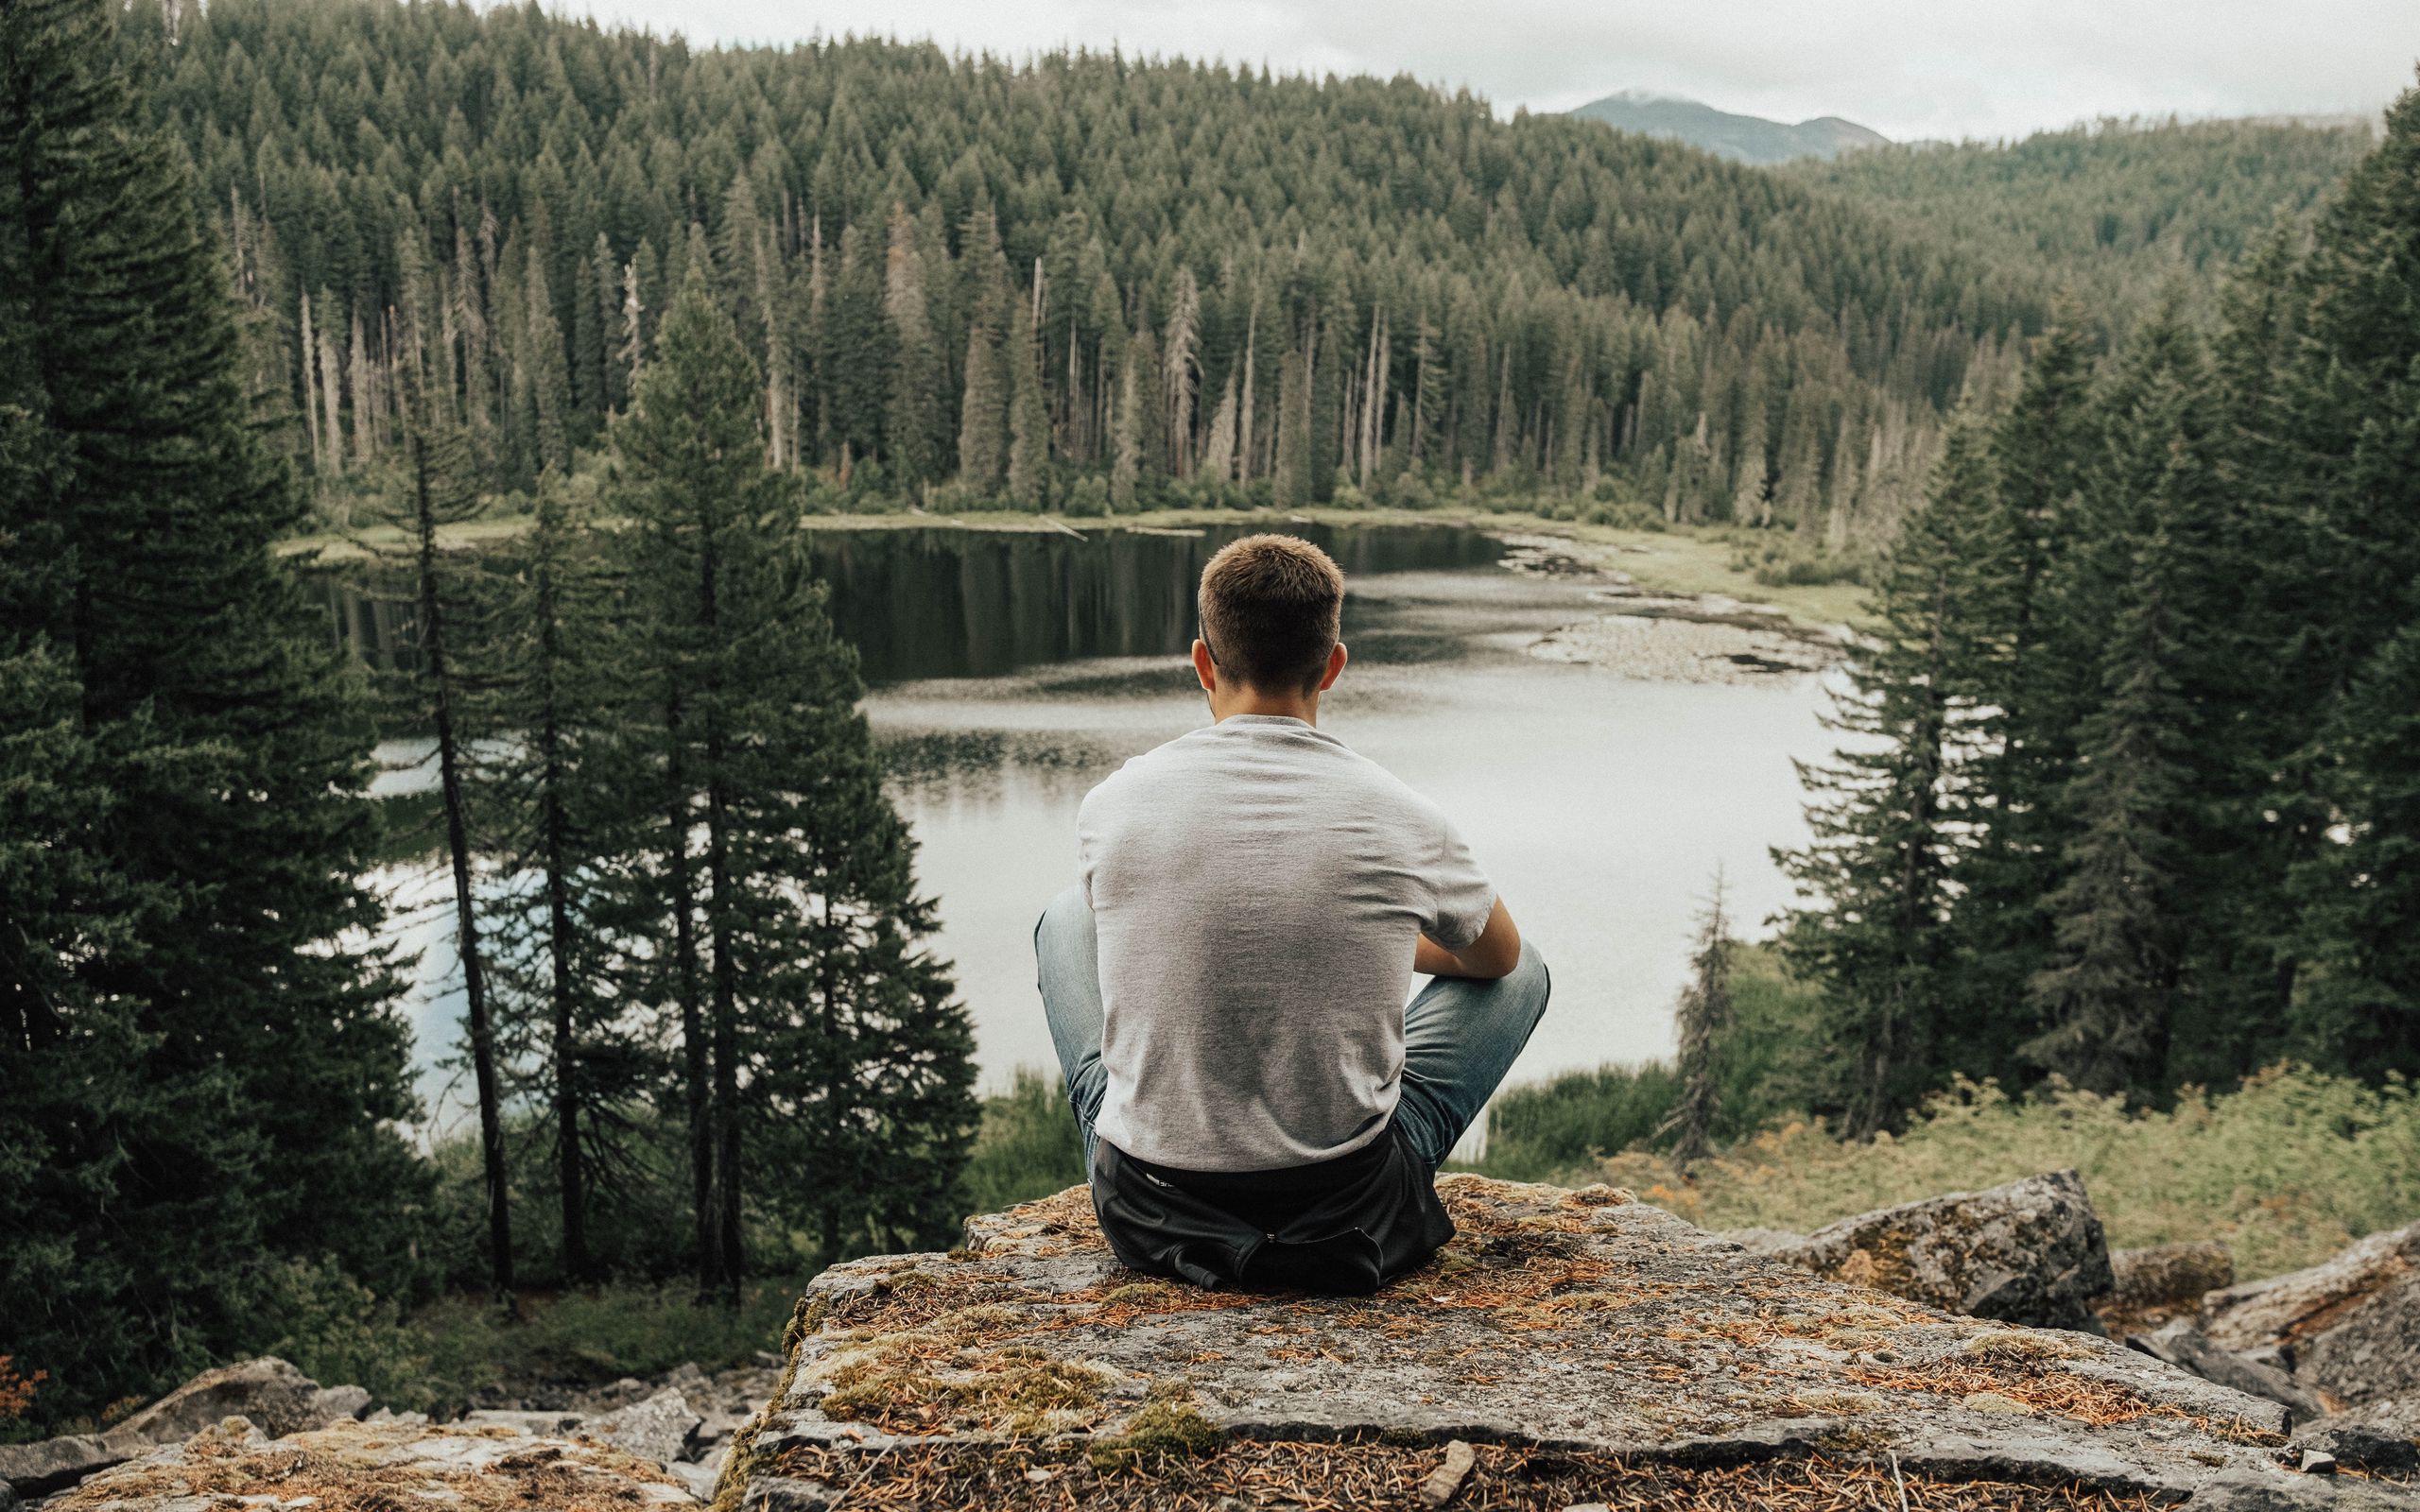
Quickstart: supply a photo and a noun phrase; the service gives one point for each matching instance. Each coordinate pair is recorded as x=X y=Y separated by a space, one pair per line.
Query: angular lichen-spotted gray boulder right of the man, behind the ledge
x=2029 y=1252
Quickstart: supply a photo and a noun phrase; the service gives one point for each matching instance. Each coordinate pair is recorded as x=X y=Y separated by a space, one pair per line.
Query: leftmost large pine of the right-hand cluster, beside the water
x=1891 y=814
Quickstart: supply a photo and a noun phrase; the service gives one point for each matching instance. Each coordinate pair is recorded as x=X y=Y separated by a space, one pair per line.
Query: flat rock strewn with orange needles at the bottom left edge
x=379 y=1465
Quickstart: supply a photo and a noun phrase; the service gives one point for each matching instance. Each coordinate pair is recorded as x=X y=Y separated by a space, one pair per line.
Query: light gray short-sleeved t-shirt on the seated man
x=1260 y=891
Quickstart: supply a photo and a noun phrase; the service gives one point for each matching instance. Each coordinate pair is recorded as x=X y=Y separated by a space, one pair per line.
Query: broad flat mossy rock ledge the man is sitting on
x=1569 y=1349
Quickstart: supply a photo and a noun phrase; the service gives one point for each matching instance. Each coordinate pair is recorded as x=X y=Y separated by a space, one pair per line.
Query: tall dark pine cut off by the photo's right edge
x=2337 y=463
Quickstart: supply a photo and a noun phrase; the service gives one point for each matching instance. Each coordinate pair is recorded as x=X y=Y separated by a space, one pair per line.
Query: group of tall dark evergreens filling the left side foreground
x=686 y=913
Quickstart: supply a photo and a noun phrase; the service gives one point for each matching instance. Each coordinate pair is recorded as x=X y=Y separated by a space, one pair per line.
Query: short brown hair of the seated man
x=1272 y=611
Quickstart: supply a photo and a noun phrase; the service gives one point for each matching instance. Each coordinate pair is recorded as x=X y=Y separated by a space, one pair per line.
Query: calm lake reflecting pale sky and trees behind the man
x=1018 y=669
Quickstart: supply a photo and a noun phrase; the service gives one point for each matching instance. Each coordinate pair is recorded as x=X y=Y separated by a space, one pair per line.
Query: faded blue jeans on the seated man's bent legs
x=1460 y=1037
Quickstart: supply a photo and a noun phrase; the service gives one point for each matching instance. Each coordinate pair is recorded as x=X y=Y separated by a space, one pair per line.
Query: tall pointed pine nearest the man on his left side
x=809 y=923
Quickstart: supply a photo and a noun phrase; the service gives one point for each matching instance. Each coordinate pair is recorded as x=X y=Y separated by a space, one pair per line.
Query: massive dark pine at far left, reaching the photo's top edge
x=190 y=1029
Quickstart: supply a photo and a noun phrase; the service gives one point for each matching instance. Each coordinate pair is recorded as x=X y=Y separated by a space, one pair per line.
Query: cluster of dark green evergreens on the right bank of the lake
x=2133 y=797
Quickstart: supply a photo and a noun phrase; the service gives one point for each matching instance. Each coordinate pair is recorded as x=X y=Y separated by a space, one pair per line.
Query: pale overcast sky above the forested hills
x=1911 y=69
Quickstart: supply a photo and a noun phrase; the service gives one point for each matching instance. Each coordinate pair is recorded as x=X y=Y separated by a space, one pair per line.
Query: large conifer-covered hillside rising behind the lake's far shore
x=1085 y=282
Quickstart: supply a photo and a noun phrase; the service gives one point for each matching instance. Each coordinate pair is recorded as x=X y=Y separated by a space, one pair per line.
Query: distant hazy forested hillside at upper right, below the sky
x=2114 y=212
